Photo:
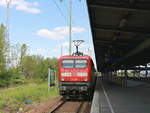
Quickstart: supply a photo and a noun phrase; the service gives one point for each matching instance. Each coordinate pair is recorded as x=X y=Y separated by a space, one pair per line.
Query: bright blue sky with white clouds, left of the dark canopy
x=40 y=25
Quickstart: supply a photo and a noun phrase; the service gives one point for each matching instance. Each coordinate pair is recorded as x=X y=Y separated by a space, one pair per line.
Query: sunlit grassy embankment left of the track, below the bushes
x=11 y=99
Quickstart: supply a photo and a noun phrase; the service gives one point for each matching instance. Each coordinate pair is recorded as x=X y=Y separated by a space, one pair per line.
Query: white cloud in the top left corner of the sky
x=23 y=5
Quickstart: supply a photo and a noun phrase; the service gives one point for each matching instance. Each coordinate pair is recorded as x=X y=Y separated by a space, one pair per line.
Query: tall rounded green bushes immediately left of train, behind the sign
x=37 y=66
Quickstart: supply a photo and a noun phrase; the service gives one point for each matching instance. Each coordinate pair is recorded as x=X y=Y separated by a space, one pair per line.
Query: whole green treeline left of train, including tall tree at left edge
x=22 y=66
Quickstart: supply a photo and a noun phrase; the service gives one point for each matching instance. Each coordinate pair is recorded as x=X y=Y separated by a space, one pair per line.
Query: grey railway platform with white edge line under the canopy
x=112 y=98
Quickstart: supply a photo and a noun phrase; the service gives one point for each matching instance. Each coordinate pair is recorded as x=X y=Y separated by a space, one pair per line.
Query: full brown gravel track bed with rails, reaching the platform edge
x=60 y=106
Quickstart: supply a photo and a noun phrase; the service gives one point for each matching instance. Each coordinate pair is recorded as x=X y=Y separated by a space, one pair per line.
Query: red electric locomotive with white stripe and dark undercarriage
x=76 y=76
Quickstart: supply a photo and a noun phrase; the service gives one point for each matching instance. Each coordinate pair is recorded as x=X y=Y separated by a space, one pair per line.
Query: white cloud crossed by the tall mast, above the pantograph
x=59 y=33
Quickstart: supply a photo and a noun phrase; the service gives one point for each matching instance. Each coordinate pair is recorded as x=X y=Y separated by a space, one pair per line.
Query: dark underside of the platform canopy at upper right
x=121 y=32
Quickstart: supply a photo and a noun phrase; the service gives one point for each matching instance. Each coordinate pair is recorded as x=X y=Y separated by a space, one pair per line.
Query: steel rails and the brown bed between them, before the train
x=68 y=107
